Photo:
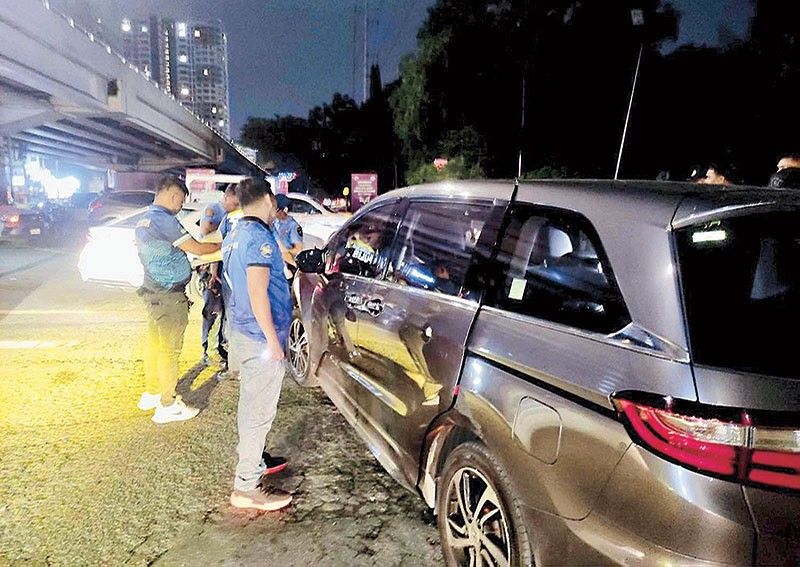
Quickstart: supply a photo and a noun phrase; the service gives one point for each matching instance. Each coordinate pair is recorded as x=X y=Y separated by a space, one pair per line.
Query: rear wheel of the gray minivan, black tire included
x=473 y=464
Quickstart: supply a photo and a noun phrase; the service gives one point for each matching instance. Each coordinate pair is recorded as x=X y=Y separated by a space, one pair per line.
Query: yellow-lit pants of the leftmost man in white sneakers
x=167 y=317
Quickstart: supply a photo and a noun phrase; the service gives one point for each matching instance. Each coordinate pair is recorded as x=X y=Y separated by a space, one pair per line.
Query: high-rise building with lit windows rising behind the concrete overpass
x=187 y=58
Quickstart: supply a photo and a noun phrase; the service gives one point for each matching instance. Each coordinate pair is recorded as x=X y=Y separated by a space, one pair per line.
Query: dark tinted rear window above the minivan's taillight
x=741 y=284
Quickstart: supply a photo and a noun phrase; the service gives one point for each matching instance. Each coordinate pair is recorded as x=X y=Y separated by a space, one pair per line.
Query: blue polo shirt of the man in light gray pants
x=252 y=243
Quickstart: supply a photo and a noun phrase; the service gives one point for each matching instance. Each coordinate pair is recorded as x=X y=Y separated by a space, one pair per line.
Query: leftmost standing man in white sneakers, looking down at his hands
x=162 y=244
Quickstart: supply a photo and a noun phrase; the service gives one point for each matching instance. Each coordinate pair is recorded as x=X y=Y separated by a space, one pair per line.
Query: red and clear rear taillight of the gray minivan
x=751 y=447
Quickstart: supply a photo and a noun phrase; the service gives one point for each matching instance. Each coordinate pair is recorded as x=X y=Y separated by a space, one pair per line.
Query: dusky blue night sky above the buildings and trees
x=287 y=56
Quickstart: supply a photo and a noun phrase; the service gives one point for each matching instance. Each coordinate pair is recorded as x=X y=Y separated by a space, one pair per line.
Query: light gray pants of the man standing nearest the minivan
x=259 y=390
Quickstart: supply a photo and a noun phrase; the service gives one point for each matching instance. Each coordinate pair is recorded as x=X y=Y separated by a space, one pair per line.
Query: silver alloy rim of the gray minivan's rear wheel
x=477 y=526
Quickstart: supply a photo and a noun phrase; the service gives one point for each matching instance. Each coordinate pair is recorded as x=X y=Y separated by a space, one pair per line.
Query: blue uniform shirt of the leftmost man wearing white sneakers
x=158 y=235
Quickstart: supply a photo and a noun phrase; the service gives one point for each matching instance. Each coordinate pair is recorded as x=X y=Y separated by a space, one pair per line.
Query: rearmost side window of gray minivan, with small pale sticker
x=553 y=267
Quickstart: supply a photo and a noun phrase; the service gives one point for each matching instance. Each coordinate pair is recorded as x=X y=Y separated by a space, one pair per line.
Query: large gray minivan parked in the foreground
x=575 y=373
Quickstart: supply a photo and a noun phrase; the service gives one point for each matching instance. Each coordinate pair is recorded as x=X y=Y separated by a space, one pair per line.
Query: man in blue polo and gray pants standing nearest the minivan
x=260 y=311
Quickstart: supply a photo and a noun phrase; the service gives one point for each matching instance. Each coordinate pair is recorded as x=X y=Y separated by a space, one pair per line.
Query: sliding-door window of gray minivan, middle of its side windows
x=435 y=244
